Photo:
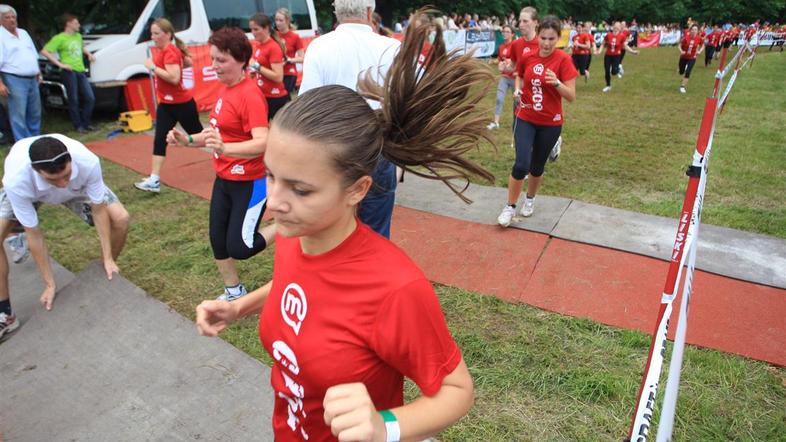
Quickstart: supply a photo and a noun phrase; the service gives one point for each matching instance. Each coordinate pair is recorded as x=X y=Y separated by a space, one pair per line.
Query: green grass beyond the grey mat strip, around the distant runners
x=629 y=148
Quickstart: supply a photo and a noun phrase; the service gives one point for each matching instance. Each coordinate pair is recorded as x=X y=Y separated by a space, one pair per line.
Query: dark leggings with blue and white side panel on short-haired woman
x=236 y=208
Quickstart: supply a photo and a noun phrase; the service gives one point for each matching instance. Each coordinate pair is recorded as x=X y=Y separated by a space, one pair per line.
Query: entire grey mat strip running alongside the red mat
x=747 y=256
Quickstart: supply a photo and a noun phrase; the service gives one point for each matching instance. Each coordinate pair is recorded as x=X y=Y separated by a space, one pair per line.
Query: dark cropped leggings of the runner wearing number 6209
x=533 y=145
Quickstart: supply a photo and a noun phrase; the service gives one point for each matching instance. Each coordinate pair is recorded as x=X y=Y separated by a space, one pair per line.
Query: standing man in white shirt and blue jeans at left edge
x=19 y=76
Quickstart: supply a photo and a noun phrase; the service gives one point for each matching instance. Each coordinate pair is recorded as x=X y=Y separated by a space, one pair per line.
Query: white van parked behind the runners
x=118 y=34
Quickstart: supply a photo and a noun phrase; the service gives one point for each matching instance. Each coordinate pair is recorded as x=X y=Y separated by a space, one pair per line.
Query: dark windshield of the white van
x=112 y=16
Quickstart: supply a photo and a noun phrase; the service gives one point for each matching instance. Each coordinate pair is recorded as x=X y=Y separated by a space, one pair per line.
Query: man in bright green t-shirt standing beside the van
x=69 y=48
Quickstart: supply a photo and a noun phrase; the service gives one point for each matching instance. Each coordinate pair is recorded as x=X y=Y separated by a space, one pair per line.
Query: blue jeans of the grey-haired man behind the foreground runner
x=376 y=209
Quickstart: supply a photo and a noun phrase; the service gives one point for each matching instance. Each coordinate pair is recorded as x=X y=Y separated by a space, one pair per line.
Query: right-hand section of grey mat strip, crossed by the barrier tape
x=747 y=256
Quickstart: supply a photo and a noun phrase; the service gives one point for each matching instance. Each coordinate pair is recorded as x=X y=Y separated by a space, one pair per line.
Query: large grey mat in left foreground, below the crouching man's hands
x=112 y=363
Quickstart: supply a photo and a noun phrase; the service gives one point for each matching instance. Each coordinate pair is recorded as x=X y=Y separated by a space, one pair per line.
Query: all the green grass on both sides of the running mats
x=540 y=375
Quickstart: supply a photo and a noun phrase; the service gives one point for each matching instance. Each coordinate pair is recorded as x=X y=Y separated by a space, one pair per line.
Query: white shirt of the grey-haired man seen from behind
x=341 y=56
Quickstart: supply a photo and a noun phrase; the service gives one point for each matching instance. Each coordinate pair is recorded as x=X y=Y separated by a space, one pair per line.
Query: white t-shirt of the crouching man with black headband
x=24 y=186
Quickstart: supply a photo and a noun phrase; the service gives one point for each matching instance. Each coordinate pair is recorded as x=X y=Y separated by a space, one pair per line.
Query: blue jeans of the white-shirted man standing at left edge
x=24 y=106
